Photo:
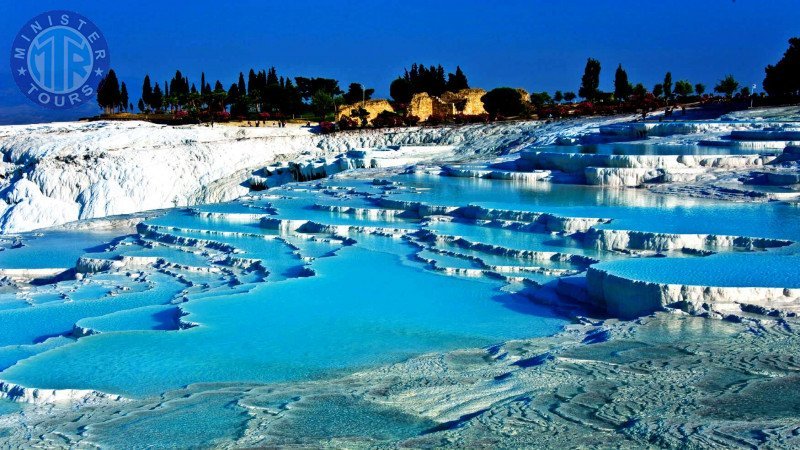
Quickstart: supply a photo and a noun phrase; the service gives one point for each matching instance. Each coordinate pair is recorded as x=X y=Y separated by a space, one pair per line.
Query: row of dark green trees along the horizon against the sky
x=265 y=93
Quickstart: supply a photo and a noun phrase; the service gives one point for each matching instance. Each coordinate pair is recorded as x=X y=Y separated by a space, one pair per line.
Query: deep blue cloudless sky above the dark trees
x=536 y=45
